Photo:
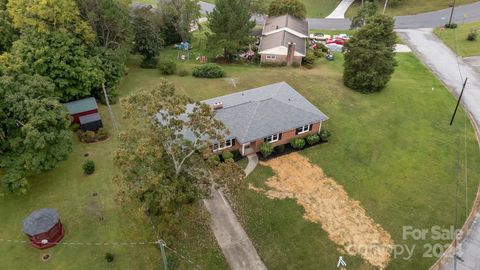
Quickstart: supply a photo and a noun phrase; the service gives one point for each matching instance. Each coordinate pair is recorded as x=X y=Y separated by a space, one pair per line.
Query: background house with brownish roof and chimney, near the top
x=284 y=40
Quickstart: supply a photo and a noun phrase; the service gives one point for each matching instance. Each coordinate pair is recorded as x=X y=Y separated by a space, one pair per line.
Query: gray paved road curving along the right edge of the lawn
x=447 y=66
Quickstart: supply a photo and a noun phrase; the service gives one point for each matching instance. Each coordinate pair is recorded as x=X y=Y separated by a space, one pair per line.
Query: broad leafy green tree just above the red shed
x=63 y=58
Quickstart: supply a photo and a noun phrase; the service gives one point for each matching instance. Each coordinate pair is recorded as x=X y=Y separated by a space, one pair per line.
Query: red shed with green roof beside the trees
x=85 y=113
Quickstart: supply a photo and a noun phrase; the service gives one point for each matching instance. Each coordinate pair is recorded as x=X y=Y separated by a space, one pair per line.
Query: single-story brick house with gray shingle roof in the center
x=273 y=114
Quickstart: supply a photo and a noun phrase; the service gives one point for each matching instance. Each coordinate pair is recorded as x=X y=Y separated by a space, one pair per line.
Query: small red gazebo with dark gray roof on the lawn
x=43 y=228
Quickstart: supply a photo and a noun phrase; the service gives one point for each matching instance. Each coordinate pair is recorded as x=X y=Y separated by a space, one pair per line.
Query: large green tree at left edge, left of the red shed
x=34 y=130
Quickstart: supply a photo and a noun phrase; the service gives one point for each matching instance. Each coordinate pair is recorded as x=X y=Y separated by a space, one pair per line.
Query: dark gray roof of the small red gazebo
x=40 y=221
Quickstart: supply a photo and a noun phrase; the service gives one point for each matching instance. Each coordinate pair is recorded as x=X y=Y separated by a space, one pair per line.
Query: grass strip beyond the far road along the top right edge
x=409 y=7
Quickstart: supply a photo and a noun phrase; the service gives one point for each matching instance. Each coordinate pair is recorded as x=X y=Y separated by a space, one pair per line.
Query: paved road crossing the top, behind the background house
x=424 y=20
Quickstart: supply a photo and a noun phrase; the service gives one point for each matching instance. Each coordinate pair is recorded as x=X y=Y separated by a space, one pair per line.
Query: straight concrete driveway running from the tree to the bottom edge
x=231 y=237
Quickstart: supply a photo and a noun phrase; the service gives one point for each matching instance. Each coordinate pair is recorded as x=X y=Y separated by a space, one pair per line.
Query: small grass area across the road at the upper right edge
x=456 y=39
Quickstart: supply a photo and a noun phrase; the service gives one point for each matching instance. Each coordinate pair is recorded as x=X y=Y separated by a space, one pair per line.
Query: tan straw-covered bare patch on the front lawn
x=327 y=203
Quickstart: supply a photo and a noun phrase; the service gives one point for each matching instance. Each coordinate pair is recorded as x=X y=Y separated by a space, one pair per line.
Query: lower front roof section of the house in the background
x=282 y=38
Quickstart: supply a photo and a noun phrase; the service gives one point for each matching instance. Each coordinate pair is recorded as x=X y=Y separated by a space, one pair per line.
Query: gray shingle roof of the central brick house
x=263 y=111
